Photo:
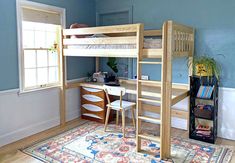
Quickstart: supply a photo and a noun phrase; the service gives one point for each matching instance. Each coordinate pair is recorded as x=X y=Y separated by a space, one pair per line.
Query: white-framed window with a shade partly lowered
x=39 y=38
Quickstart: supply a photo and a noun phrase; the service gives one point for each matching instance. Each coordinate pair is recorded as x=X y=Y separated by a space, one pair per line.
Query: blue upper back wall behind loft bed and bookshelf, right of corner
x=214 y=22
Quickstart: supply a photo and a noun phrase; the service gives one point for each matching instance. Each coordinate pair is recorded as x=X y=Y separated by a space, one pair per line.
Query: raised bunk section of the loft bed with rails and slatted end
x=91 y=42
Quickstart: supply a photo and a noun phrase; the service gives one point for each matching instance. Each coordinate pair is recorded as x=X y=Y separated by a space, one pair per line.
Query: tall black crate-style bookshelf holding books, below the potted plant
x=201 y=115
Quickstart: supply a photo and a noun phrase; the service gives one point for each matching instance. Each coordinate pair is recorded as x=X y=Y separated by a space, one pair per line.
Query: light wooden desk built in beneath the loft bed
x=179 y=92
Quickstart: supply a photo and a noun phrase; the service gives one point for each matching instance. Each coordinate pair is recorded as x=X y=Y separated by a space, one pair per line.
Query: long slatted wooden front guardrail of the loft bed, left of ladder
x=115 y=35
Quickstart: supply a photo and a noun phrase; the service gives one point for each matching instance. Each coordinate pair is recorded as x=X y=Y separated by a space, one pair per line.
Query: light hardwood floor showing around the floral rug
x=11 y=154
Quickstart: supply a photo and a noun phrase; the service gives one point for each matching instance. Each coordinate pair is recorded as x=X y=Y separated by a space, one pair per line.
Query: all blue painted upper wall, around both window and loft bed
x=214 y=23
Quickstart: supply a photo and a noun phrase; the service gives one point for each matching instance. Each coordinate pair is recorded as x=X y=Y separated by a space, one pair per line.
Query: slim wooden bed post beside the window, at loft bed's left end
x=62 y=84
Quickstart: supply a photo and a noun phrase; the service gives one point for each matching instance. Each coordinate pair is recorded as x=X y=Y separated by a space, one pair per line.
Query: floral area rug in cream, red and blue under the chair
x=89 y=143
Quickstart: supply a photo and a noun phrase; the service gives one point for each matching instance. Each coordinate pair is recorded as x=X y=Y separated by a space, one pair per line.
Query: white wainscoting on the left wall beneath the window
x=29 y=113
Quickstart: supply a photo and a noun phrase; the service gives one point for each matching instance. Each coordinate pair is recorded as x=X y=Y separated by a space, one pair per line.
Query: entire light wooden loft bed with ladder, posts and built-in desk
x=132 y=41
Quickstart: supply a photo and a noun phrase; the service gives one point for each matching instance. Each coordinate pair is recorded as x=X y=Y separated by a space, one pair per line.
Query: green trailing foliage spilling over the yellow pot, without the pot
x=209 y=64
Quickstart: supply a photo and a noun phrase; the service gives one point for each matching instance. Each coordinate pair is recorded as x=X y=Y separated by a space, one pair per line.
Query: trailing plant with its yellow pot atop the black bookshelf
x=206 y=66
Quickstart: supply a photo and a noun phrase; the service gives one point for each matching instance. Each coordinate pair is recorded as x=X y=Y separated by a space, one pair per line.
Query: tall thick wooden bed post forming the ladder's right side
x=166 y=92
